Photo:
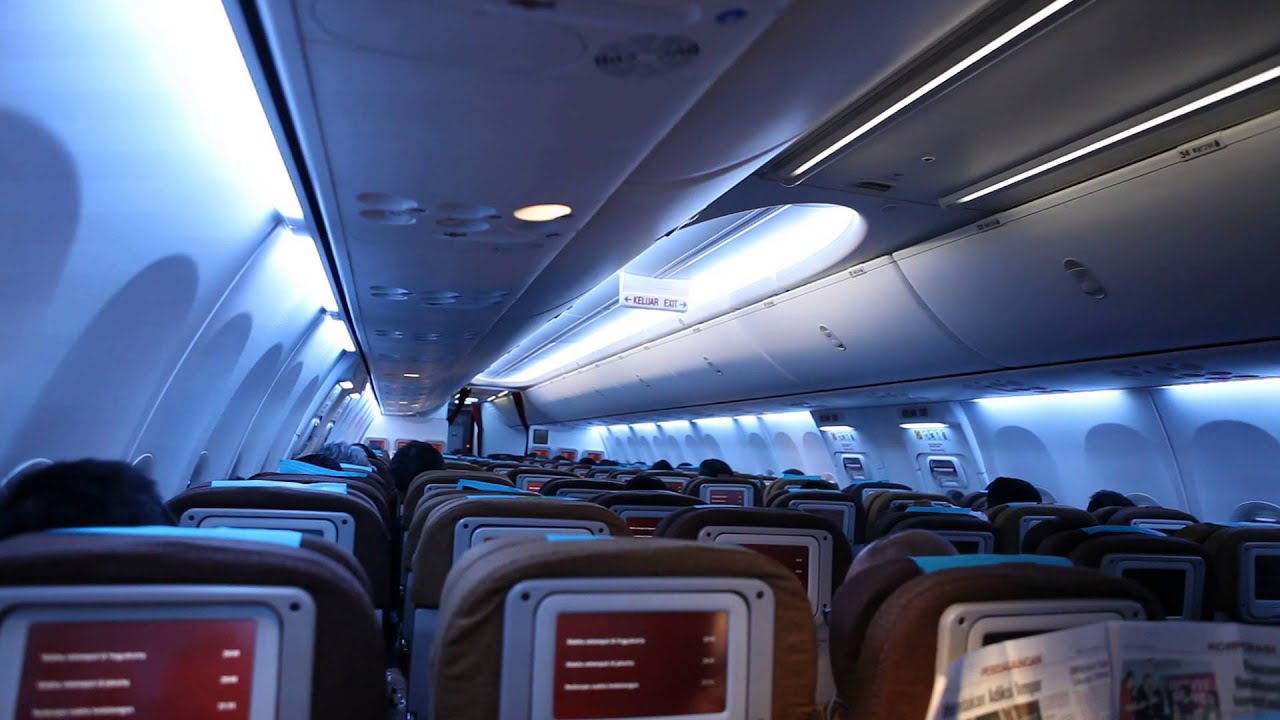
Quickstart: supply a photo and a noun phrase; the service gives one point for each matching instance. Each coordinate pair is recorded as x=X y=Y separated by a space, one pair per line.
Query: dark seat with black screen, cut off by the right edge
x=1245 y=572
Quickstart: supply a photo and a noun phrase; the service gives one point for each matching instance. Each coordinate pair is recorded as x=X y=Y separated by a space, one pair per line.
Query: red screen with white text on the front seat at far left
x=193 y=669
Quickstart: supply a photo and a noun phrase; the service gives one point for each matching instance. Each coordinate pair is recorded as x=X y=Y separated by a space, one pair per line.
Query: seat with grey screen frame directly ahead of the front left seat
x=354 y=522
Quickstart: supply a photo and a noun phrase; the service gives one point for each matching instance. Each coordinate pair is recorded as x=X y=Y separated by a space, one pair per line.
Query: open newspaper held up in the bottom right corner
x=1118 y=671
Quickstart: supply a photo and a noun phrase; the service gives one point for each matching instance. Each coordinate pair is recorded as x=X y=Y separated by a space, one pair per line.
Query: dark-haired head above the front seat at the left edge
x=81 y=495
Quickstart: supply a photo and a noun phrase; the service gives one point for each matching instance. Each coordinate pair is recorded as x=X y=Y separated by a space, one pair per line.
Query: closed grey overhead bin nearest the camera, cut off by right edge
x=1176 y=252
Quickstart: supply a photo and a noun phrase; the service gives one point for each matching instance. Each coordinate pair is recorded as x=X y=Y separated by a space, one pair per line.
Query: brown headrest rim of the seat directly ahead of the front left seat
x=373 y=545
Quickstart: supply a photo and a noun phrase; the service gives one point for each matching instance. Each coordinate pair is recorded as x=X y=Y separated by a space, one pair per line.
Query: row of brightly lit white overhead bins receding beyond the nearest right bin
x=774 y=348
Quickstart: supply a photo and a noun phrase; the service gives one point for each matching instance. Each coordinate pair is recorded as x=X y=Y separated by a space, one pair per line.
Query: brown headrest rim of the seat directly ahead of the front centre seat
x=433 y=557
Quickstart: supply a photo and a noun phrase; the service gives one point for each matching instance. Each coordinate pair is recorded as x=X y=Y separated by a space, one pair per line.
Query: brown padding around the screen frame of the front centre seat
x=469 y=649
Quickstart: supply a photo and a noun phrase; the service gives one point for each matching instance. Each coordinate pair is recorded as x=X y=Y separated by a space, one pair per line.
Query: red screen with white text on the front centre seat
x=641 y=664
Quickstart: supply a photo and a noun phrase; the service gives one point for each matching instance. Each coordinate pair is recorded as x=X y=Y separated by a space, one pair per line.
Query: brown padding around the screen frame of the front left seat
x=348 y=676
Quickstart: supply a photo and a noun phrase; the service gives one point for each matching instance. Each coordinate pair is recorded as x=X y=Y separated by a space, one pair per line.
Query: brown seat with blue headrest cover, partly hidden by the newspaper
x=897 y=622
